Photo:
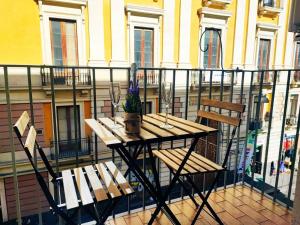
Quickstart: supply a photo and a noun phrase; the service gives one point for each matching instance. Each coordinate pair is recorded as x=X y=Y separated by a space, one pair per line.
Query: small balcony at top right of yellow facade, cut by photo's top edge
x=269 y=7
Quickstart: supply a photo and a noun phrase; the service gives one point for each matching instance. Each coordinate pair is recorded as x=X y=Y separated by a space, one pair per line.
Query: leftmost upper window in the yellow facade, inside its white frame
x=64 y=42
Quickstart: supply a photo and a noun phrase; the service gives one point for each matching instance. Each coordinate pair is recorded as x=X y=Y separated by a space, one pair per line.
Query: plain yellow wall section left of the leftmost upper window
x=20 y=37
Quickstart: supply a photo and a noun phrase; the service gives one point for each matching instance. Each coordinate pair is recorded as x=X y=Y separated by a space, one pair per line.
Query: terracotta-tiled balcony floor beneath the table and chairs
x=237 y=205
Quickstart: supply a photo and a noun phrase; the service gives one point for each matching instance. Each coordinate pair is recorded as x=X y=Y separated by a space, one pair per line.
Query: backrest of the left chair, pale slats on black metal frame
x=30 y=143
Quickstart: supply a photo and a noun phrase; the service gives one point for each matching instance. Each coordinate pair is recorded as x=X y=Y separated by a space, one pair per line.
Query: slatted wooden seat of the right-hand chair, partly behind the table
x=196 y=163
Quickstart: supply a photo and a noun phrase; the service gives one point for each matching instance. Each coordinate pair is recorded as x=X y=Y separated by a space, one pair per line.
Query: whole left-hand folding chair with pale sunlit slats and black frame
x=76 y=188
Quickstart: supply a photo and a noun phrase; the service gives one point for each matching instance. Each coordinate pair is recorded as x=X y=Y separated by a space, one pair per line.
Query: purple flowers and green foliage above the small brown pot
x=133 y=102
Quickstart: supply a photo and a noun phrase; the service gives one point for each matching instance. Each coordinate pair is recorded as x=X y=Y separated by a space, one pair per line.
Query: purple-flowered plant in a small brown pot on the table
x=133 y=109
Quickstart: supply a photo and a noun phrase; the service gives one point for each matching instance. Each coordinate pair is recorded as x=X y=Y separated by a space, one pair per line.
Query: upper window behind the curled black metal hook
x=212 y=55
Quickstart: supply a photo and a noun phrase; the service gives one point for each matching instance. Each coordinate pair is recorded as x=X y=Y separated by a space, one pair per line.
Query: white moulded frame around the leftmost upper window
x=47 y=12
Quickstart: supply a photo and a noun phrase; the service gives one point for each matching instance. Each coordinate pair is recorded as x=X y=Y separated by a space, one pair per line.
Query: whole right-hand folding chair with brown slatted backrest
x=198 y=164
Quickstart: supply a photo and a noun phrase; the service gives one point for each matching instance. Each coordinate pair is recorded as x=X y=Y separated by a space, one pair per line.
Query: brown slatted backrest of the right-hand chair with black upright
x=231 y=120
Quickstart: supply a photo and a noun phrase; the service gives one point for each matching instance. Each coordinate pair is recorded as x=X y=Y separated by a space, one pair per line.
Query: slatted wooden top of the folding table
x=150 y=130
